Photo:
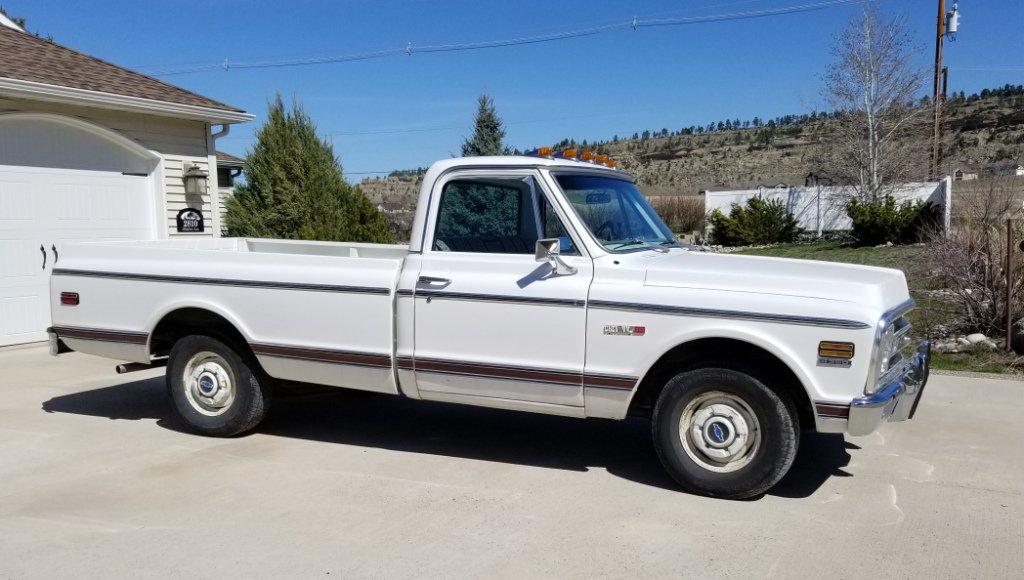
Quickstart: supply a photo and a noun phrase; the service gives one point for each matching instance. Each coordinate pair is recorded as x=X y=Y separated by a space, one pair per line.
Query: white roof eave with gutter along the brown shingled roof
x=57 y=94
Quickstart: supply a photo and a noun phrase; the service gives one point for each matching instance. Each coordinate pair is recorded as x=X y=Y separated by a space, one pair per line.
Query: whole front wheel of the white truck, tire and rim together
x=722 y=433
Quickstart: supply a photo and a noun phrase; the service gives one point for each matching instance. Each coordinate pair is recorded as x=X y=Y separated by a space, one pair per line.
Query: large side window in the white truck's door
x=487 y=216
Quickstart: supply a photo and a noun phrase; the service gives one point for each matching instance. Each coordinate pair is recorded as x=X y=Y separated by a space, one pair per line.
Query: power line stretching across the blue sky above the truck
x=409 y=50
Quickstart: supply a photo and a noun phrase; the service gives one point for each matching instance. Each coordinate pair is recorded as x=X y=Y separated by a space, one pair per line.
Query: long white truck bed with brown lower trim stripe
x=324 y=301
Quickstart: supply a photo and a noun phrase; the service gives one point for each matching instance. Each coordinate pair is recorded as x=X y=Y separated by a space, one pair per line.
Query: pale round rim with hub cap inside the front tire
x=719 y=432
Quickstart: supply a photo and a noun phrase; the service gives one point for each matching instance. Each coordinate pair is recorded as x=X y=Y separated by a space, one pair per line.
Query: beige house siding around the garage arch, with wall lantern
x=179 y=142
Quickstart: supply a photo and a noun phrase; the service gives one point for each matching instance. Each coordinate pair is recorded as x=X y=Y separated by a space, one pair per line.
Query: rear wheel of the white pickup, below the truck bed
x=237 y=413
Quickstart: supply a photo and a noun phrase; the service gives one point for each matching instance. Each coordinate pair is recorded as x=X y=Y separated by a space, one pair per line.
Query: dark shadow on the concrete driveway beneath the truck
x=383 y=422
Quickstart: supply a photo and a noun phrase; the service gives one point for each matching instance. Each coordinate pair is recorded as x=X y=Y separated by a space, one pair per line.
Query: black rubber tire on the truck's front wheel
x=754 y=474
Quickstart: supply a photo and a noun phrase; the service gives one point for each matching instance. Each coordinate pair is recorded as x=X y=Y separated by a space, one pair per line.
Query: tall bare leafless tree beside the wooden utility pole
x=880 y=140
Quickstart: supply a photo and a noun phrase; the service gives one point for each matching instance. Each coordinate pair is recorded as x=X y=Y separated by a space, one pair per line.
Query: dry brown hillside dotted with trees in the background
x=982 y=132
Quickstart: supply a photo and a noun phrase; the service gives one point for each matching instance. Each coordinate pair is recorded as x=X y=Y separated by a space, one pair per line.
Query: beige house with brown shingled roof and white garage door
x=92 y=151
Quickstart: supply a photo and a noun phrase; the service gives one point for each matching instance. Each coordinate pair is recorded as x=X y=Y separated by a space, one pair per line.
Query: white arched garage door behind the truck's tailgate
x=44 y=208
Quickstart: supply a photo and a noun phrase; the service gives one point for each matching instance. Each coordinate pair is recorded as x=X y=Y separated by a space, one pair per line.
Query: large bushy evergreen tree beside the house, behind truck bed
x=295 y=189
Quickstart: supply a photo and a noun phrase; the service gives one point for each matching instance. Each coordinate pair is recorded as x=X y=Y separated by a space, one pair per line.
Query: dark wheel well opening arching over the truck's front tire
x=728 y=353
